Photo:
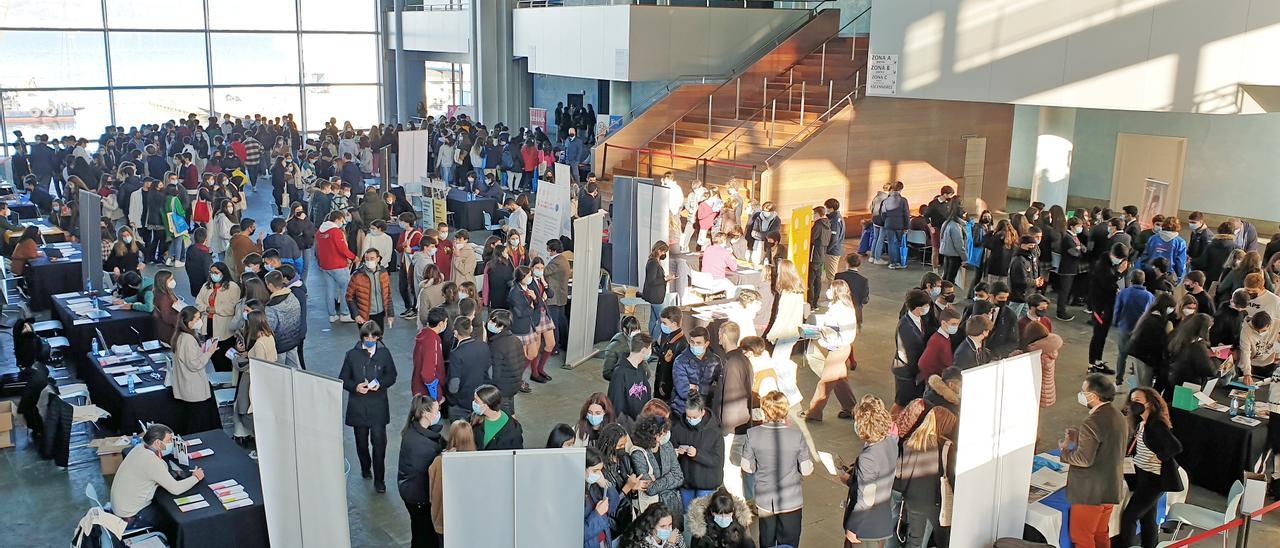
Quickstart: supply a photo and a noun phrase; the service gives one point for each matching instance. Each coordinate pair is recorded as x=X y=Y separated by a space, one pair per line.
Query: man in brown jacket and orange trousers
x=1096 y=454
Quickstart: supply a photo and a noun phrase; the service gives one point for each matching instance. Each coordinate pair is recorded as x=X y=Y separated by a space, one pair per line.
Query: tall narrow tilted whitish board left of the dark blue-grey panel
x=588 y=234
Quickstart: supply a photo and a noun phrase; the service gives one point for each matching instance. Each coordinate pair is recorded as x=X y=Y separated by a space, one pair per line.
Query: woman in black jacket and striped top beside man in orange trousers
x=1153 y=451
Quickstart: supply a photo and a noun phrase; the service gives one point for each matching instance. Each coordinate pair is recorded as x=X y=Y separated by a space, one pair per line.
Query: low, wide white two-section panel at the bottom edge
x=523 y=495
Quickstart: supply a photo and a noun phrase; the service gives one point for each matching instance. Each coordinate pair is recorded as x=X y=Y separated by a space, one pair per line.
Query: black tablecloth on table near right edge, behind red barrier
x=1215 y=450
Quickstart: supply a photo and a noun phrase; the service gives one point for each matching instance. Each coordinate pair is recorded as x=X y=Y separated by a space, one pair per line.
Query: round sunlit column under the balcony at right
x=1055 y=140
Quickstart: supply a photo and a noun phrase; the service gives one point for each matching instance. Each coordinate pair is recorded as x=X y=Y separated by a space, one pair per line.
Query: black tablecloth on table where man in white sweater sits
x=216 y=527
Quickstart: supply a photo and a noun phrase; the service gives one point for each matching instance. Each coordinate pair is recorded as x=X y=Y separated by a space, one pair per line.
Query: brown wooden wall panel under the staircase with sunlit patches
x=920 y=143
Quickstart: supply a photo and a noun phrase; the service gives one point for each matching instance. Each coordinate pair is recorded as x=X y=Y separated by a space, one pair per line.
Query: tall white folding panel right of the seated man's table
x=300 y=456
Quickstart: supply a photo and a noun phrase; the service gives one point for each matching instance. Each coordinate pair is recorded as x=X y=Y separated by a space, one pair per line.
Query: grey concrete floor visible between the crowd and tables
x=43 y=504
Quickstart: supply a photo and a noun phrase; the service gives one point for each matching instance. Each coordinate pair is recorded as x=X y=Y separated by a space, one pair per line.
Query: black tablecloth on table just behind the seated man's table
x=127 y=409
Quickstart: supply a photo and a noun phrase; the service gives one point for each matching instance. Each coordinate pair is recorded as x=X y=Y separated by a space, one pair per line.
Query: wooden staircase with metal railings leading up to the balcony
x=757 y=117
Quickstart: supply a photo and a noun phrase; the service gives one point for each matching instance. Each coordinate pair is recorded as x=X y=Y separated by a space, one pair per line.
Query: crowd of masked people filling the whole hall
x=698 y=432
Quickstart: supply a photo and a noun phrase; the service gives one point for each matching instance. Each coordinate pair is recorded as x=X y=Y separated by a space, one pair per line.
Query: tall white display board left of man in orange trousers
x=998 y=445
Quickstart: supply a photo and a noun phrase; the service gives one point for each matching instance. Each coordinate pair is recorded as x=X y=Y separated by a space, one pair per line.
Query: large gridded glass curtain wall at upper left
x=72 y=67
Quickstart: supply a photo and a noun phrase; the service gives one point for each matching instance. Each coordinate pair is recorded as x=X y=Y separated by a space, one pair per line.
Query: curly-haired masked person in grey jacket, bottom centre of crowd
x=655 y=460
